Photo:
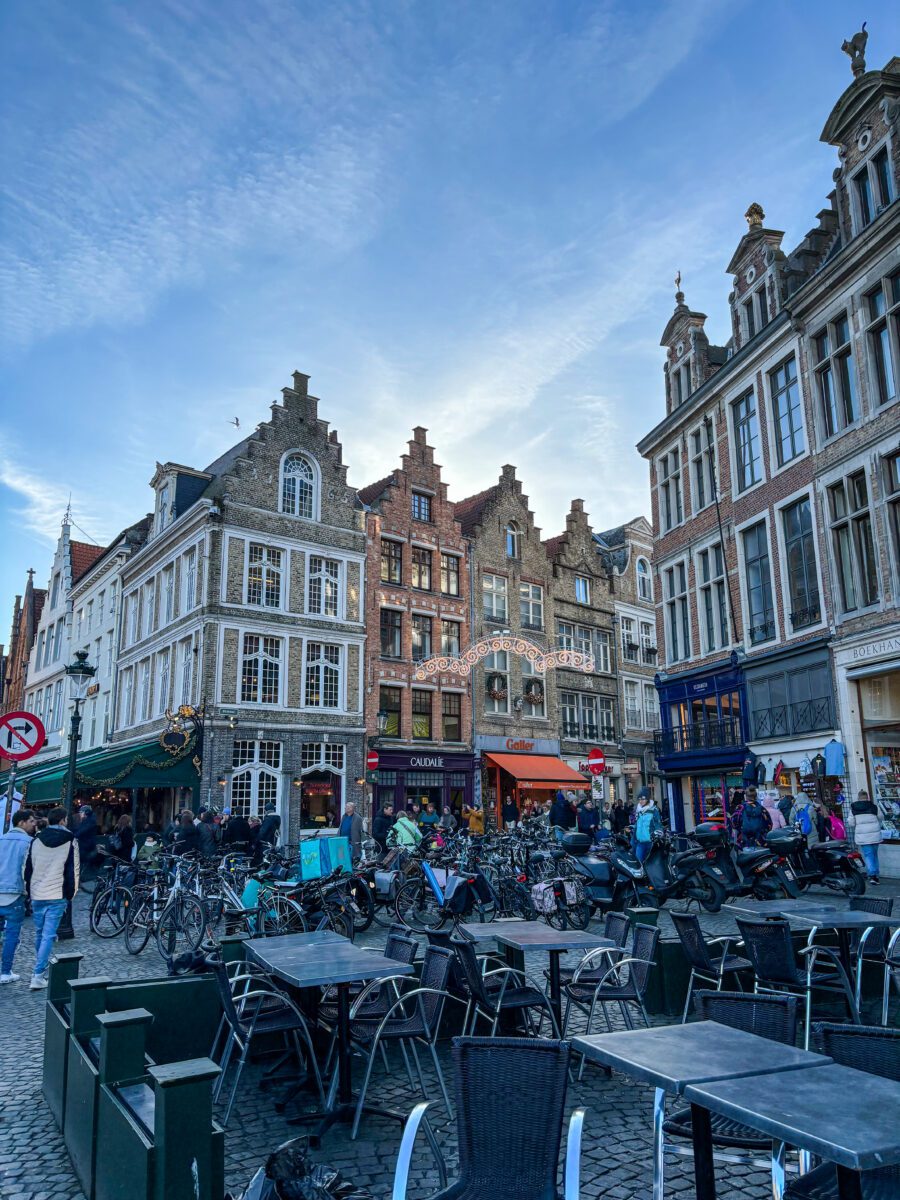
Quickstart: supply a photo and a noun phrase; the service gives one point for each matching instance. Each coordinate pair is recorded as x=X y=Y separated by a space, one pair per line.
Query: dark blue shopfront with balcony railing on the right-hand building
x=701 y=747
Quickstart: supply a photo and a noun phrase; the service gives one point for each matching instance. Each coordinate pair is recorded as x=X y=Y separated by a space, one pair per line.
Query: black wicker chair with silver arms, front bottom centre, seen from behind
x=494 y=1076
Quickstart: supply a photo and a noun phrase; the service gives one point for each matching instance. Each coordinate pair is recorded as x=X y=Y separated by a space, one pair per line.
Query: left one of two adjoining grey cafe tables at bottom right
x=673 y=1058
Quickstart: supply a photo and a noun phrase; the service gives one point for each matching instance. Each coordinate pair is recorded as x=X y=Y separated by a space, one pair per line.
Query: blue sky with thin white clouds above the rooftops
x=460 y=215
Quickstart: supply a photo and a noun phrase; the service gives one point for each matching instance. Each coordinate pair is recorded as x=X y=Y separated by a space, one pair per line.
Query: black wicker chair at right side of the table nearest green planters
x=412 y=1019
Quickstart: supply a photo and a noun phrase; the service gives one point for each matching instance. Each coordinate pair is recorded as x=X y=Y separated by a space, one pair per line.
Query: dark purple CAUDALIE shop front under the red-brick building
x=406 y=777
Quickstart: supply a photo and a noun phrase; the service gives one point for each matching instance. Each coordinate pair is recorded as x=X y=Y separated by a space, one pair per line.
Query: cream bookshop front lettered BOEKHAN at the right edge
x=868 y=677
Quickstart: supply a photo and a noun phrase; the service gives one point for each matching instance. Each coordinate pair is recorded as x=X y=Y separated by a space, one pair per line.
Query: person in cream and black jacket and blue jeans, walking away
x=52 y=871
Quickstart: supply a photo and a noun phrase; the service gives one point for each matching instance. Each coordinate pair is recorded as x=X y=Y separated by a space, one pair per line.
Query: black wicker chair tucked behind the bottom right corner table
x=867 y=1048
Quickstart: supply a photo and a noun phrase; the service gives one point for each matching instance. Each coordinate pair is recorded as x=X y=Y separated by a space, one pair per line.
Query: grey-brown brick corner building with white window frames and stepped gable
x=249 y=599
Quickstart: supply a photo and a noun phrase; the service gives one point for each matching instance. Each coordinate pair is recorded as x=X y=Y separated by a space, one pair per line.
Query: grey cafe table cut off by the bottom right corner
x=847 y=1117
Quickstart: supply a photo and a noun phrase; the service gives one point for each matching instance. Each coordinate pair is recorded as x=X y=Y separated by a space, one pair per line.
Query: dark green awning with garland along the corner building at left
x=146 y=765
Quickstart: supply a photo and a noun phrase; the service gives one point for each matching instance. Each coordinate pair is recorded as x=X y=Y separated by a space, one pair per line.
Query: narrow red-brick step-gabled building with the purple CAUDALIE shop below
x=417 y=609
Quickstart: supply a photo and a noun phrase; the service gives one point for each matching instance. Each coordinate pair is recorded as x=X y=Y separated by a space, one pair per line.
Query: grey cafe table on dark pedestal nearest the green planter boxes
x=323 y=961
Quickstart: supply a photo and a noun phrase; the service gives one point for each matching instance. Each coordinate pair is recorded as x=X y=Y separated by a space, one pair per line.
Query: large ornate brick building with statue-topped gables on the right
x=776 y=490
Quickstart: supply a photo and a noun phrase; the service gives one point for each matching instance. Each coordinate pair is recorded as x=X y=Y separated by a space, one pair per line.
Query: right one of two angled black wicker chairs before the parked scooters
x=772 y=955
